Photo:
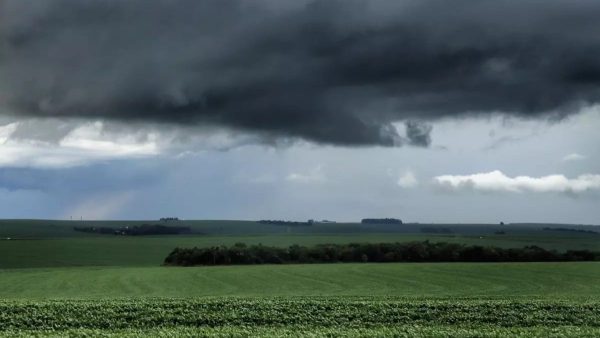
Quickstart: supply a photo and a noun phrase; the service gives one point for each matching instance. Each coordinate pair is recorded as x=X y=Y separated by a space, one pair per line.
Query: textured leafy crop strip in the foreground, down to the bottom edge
x=290 y=317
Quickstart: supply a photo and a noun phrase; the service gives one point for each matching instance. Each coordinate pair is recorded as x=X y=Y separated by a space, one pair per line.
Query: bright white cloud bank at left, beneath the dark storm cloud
x=61 y=143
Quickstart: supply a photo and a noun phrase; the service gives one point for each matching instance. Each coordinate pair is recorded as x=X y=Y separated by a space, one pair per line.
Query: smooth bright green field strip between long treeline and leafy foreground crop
x=439 y=280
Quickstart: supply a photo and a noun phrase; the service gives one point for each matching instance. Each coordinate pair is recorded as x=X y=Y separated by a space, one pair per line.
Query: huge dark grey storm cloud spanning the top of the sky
x=338 y=72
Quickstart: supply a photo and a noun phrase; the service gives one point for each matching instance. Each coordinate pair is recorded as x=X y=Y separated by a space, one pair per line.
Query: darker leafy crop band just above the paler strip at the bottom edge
x=314 y=312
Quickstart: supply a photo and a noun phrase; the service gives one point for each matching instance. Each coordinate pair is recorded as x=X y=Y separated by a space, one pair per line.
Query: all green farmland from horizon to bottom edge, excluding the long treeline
x=58 y=282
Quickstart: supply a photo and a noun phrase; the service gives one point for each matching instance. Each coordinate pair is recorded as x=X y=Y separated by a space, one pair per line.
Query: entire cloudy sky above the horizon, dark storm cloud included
x=479 y=111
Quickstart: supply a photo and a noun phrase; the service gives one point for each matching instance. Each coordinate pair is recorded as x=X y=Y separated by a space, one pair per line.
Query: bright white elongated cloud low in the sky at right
x=498 y=181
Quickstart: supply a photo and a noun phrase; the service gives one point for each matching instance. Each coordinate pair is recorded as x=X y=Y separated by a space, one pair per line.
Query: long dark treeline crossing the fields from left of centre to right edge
x=426 y=251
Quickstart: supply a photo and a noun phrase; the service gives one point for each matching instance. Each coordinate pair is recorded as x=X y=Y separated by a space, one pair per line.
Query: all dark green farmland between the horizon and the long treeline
x=55 y=244
